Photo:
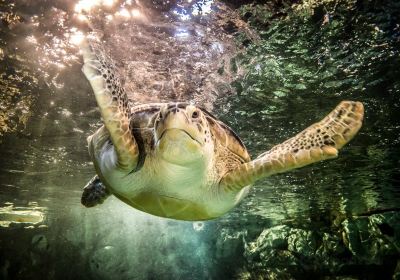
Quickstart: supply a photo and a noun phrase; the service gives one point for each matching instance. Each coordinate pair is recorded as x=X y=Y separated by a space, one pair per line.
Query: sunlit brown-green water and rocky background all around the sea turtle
x=268 y=80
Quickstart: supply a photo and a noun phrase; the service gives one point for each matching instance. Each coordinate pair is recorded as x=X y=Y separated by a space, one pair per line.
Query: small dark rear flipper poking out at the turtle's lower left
x=94 y=193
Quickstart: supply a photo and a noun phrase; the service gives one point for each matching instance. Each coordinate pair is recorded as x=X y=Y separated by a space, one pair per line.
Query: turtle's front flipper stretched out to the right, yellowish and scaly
x=318 y=142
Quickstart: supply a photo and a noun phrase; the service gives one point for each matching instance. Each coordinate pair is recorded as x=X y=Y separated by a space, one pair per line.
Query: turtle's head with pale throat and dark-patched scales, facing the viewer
x=182 y=134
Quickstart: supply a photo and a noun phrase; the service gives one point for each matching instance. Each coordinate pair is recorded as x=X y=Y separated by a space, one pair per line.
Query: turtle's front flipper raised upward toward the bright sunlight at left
x=112 y=100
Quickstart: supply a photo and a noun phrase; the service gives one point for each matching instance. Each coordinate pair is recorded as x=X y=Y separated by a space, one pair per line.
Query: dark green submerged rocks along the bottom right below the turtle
x=361 y=247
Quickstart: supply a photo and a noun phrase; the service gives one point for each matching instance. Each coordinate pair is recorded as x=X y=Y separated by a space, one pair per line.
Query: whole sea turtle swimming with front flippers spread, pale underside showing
x=177 y=160
